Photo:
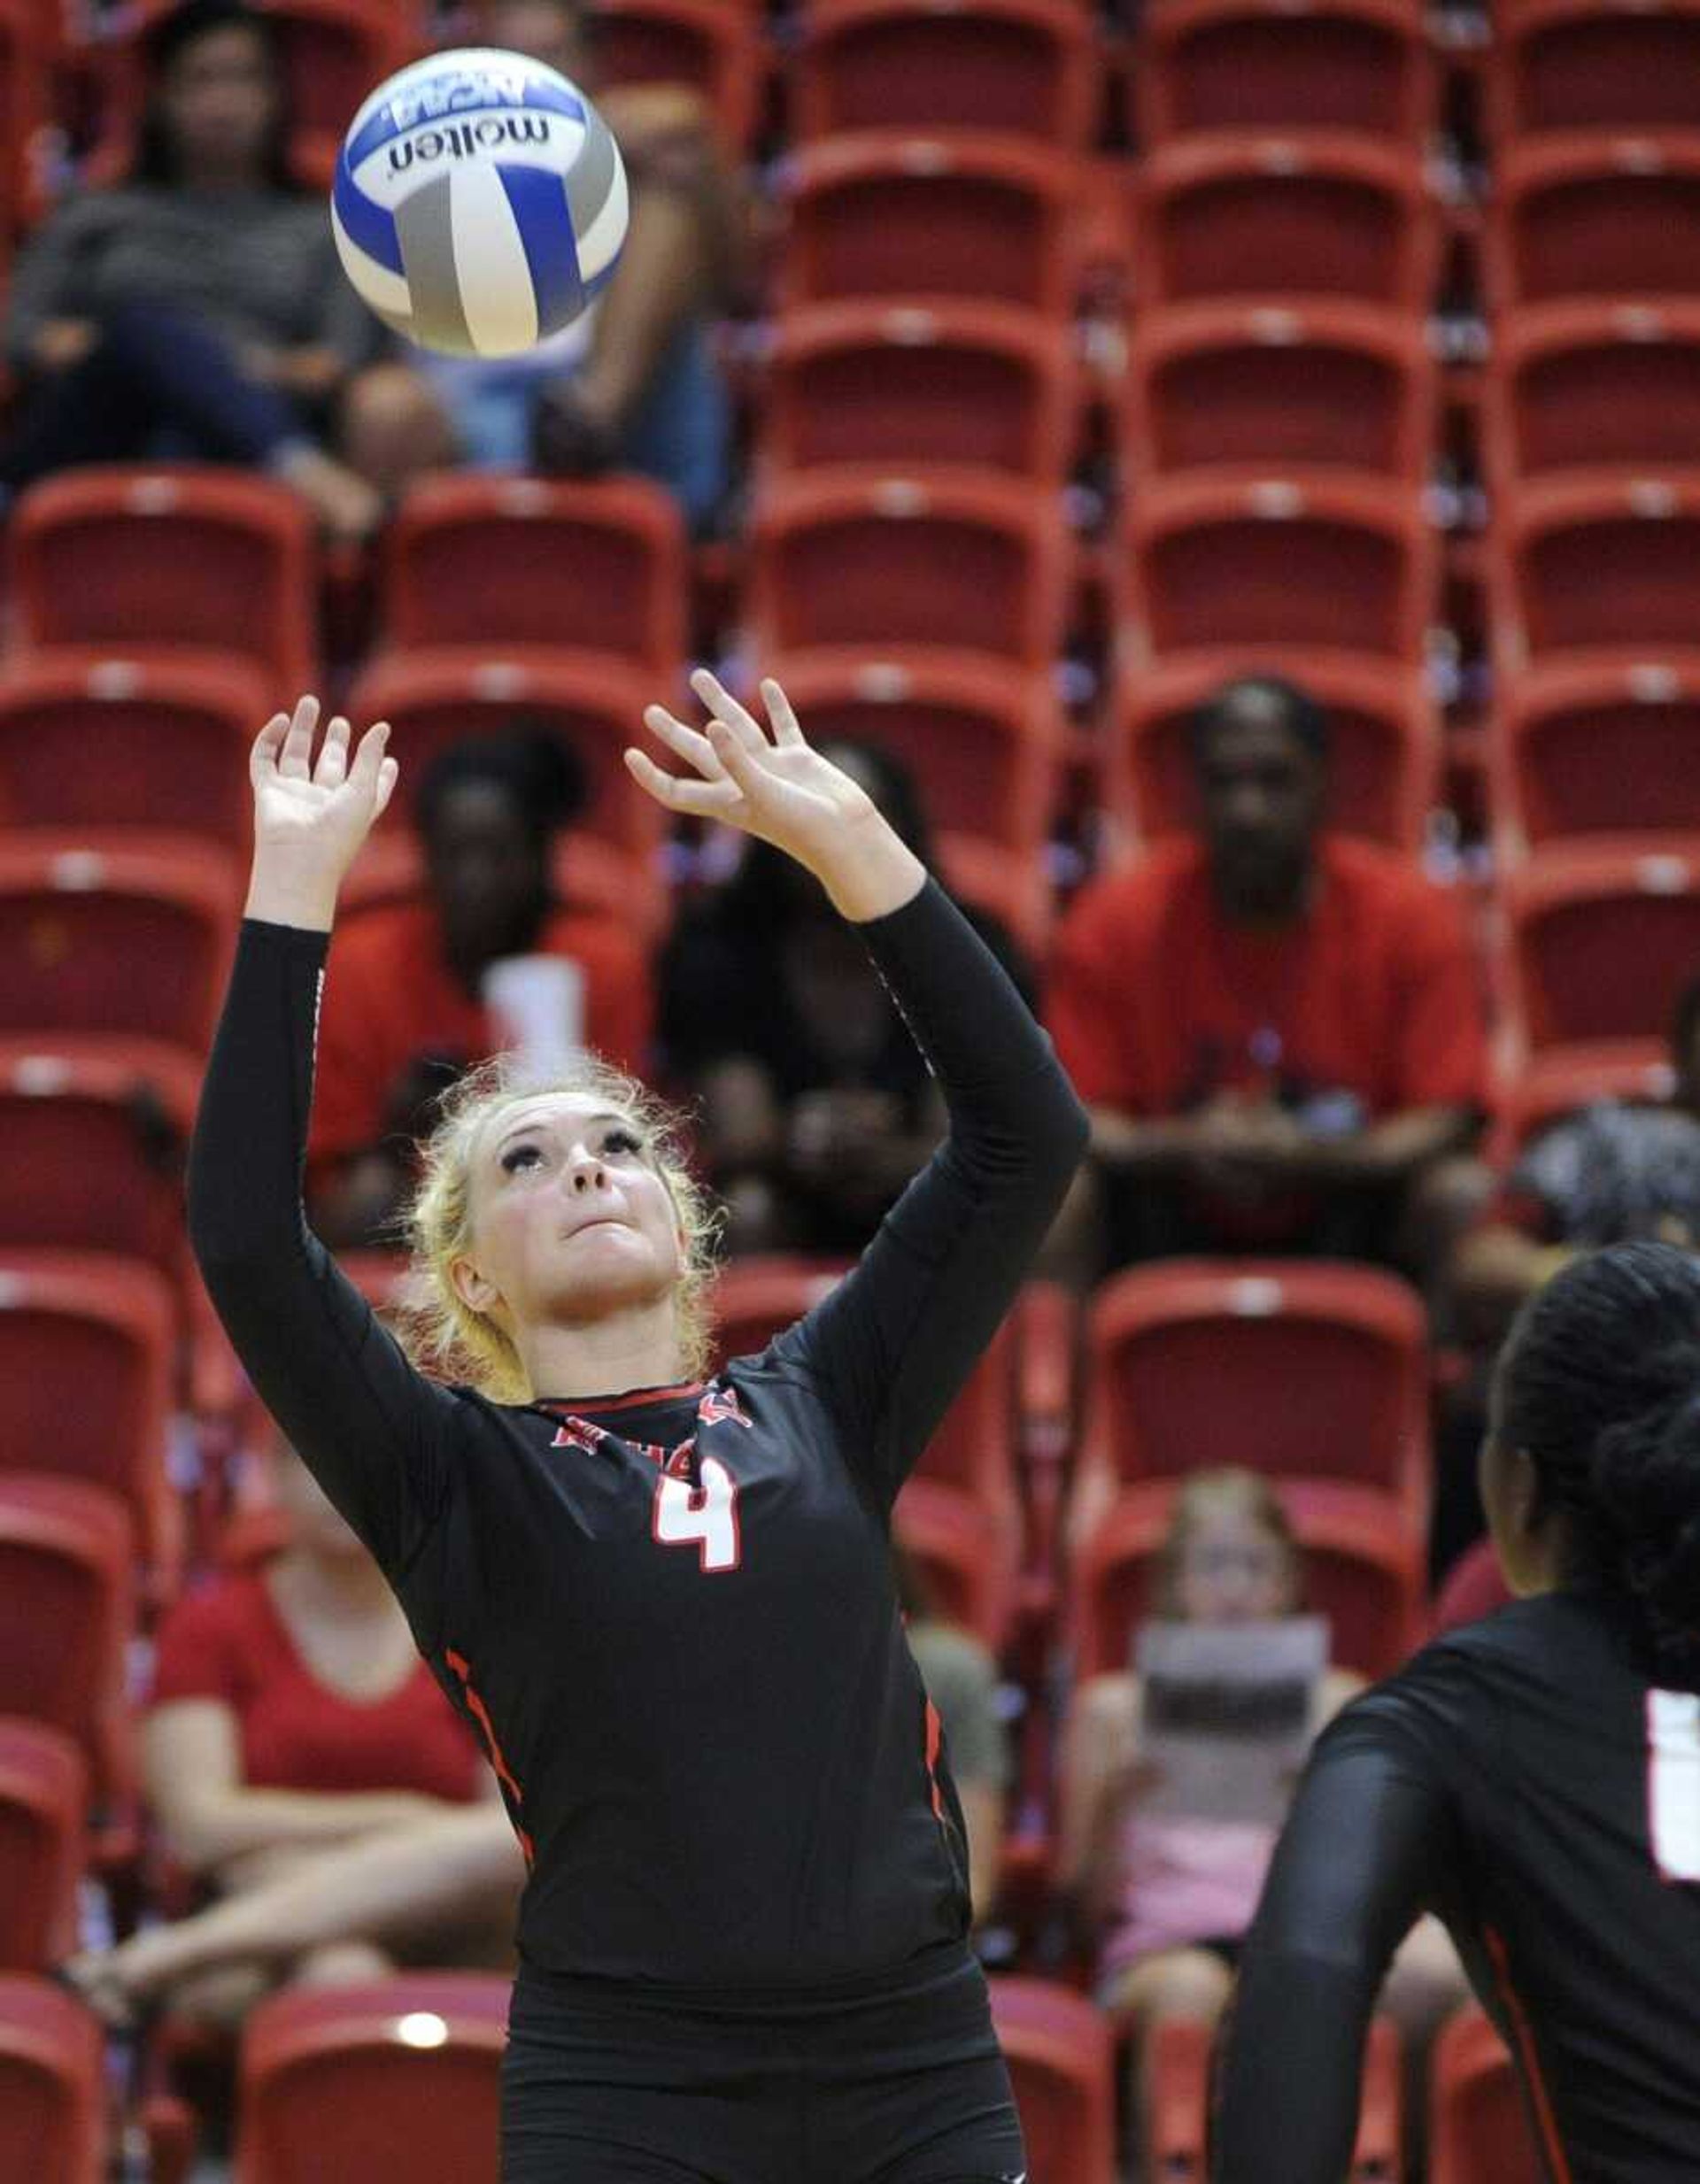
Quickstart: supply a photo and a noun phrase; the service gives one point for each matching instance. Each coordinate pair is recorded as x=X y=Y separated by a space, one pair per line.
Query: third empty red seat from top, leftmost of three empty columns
x=899 y=383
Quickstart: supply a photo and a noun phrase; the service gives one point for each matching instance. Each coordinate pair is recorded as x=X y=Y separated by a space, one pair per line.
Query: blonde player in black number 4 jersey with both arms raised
x=665 y=1604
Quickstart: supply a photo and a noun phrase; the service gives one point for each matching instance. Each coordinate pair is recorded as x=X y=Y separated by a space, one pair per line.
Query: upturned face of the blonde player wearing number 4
x=571 y=1220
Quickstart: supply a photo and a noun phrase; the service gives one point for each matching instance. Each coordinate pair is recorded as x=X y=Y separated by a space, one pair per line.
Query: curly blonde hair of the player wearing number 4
x=449 y=1338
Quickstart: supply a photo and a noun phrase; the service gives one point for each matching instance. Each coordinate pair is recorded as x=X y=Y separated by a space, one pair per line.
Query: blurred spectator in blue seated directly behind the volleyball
x=633 y=383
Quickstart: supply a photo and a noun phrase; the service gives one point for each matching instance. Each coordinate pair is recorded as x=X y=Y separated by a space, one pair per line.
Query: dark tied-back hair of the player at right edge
x=1601 y=1384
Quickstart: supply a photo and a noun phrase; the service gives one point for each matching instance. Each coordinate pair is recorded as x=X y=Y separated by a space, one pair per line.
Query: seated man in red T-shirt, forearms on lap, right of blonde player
x=1277 y=1030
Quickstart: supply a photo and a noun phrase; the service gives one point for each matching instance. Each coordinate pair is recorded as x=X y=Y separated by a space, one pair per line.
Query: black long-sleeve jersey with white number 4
x=670 y=1613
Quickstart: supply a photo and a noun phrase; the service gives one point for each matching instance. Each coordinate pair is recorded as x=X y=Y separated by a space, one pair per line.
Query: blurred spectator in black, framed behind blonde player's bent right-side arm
x=816 y=1106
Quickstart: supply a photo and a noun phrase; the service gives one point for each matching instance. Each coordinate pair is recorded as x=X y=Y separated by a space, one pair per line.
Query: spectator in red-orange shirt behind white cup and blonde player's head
x=405 y=988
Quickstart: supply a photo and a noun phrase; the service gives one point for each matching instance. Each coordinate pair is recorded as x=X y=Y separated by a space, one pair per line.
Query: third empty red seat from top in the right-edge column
x=1590 y=385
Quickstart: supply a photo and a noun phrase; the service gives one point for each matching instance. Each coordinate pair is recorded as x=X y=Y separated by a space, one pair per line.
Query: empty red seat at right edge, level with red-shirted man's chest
x=1601 y=942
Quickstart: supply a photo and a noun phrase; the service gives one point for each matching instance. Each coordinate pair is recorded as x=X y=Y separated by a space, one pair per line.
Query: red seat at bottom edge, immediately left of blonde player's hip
x=388 y=2080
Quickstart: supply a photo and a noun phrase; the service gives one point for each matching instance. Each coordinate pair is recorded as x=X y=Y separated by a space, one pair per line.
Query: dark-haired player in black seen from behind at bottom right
x=1535 y=1779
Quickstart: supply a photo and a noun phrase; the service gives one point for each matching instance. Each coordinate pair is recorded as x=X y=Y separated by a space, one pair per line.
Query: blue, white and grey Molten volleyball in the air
x=480 y=202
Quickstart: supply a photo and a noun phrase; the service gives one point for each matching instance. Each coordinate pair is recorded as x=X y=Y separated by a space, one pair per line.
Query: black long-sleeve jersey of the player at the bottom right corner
x=1526 y=1783
